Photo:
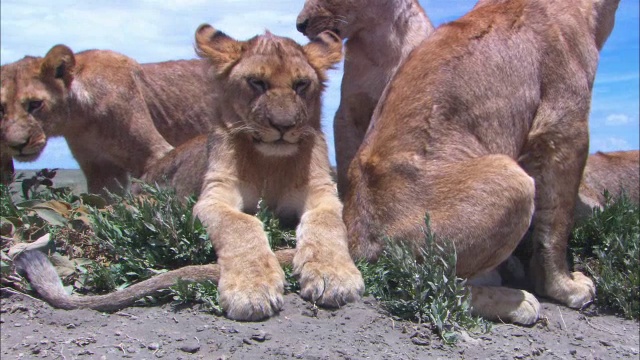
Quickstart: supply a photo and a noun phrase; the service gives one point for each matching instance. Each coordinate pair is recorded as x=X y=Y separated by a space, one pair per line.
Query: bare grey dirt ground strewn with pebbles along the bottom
x=30 y=329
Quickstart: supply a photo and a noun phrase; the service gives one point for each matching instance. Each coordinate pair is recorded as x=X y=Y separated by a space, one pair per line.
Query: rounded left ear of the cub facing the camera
x=222 y=50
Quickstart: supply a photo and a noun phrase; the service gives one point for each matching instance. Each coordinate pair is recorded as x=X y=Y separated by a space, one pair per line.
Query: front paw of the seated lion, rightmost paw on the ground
x=575 y=290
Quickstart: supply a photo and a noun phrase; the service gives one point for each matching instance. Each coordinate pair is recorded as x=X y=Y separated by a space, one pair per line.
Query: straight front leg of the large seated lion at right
x=557 y=172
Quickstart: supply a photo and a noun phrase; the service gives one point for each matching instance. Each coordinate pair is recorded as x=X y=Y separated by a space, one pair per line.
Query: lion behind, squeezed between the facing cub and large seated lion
x=380 y=35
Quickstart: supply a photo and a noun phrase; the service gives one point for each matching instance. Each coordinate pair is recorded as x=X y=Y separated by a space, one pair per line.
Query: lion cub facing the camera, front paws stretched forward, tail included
x=266 y=142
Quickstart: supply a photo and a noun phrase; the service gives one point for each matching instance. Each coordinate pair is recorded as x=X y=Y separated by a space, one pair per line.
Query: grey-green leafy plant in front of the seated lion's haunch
x=422 y=288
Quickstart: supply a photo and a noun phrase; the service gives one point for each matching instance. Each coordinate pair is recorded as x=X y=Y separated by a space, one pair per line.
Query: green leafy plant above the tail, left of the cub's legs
x=147 y=235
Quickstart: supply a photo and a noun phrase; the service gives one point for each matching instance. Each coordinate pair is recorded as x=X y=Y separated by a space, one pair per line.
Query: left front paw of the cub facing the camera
x=251 y=296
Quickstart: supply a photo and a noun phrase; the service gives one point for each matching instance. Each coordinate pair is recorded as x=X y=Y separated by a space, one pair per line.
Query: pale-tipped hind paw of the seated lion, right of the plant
x=504 y=304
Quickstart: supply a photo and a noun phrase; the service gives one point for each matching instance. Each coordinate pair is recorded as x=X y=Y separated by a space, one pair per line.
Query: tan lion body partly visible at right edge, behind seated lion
x=617 y=172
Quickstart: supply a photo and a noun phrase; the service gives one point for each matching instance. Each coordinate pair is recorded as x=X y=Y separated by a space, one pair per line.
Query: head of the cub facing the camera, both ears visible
x=271 y=85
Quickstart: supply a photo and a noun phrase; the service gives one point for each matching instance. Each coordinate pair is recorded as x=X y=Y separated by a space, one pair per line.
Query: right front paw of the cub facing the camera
x=330 y=285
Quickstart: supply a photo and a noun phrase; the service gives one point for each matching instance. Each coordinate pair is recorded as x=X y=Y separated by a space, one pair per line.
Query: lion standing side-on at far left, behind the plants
x=117 y=116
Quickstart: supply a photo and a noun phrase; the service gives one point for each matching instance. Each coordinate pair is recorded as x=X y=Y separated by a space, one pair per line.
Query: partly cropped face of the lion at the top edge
x=339 y=16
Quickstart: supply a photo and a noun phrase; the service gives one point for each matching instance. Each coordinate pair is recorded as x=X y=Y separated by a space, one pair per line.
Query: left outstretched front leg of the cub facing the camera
x=251 y=280
